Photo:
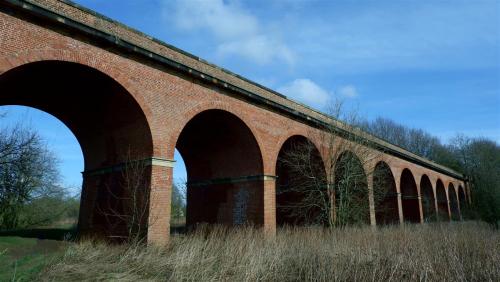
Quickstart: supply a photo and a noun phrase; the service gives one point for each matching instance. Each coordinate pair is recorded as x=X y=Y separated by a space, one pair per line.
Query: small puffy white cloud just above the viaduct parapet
x=306 y=91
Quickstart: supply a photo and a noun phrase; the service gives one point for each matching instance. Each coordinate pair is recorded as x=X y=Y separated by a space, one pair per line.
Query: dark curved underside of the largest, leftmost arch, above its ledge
x=86 y=114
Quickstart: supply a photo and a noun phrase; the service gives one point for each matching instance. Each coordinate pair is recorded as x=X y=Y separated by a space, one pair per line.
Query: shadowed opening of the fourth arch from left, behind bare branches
x=352 y=204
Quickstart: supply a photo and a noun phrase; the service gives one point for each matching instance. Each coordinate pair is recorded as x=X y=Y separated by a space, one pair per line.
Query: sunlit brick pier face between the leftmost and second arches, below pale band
x=160 y=195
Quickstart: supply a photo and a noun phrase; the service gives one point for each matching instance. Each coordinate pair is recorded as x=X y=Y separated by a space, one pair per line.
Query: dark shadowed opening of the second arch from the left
x=224 y=170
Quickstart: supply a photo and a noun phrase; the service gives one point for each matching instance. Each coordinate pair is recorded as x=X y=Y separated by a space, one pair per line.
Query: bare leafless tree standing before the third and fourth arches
x=328 y=185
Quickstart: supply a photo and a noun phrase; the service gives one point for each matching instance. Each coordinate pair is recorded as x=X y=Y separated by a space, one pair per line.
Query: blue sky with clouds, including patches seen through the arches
x=434 y=65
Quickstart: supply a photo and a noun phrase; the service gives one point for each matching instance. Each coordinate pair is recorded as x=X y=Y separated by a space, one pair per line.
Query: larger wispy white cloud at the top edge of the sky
x=236 y=31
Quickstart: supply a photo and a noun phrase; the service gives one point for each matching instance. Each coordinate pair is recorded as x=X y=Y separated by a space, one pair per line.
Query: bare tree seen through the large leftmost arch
x=28 y=170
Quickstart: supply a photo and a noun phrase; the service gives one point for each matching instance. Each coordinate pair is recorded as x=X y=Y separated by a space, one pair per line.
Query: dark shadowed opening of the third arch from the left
x=301 y=185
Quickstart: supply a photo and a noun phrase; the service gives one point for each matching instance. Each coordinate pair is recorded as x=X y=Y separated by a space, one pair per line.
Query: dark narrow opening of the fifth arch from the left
x=385 y=195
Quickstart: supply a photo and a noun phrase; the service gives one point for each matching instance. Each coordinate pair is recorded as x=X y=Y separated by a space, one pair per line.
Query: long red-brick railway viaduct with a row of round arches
x=130 y=98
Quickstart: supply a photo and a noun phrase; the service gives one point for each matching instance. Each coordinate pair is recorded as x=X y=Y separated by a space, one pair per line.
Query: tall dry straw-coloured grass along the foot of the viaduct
x=447 y=252
